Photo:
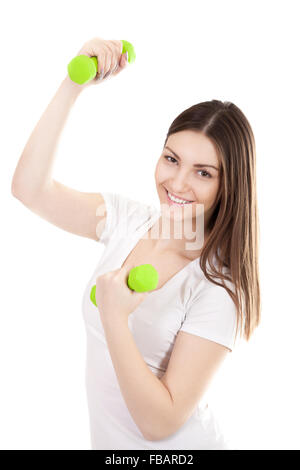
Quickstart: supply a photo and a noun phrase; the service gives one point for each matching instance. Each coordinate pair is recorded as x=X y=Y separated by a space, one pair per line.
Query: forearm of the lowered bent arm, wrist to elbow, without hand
x=148 y=400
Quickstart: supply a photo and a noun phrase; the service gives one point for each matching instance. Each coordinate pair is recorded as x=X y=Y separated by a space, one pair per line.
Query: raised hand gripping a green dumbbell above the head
x=109 y=55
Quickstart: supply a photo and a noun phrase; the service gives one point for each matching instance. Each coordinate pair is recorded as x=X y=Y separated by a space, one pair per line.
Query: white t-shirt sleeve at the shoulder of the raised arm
x=121 y=214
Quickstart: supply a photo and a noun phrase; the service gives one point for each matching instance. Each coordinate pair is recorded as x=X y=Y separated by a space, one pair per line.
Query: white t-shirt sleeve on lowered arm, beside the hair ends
x=212 y=315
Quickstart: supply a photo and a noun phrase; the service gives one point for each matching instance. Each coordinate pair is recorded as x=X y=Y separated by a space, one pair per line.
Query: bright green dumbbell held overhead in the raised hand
x=82 y=68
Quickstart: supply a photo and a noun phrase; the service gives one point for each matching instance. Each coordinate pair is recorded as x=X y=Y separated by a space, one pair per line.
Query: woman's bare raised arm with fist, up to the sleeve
x=33 y=184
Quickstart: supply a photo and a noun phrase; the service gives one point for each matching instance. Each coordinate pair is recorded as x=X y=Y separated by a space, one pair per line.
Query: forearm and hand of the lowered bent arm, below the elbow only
x=147 y=398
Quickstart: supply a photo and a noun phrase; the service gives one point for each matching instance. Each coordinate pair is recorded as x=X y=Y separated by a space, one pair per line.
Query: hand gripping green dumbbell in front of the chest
x=113 y=296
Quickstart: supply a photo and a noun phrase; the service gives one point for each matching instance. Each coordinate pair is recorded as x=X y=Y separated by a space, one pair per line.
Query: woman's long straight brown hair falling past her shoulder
x=234 y=226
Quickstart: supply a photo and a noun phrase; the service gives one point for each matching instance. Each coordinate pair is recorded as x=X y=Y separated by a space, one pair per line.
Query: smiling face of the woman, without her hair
x=176 y=172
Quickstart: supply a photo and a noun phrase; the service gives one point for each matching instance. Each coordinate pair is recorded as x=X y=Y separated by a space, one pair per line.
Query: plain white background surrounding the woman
x=186 y=52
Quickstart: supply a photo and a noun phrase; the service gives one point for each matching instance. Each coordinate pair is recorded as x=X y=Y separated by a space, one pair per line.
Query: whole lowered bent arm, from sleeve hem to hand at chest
x=159 y=407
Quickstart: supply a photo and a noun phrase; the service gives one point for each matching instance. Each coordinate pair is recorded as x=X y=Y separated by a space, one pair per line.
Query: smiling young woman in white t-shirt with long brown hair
x=151 y=356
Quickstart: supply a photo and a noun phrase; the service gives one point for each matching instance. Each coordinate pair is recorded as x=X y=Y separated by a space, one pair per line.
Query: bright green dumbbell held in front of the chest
x=141 y=279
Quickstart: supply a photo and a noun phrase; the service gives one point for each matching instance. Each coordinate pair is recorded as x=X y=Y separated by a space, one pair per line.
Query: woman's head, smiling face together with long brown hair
x=221 y=137
